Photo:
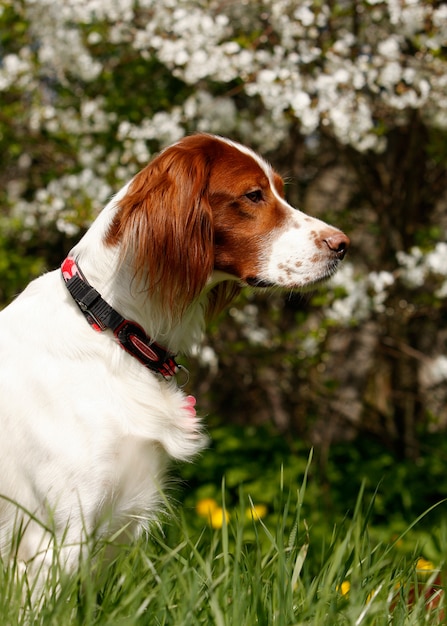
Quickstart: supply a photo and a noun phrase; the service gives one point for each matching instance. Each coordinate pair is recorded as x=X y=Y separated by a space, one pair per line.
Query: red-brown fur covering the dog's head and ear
x=186 y=213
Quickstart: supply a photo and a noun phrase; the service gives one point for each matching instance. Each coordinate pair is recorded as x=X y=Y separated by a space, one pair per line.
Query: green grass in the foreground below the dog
x=247 y=572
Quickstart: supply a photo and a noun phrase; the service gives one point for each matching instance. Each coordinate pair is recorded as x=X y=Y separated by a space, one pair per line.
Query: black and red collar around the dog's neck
x=101 y=316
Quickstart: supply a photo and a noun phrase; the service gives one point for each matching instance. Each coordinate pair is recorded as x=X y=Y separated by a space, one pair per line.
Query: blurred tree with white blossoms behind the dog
x=355 y=89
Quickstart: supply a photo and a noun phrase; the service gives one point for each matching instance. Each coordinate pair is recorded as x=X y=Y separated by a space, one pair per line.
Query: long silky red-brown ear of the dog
x=164 y=227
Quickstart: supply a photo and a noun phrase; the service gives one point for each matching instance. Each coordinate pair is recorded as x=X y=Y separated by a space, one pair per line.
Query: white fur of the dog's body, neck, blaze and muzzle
x=86 y=430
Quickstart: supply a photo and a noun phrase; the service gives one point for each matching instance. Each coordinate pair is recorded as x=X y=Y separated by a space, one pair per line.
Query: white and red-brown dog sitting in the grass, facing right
x=90 y=409
